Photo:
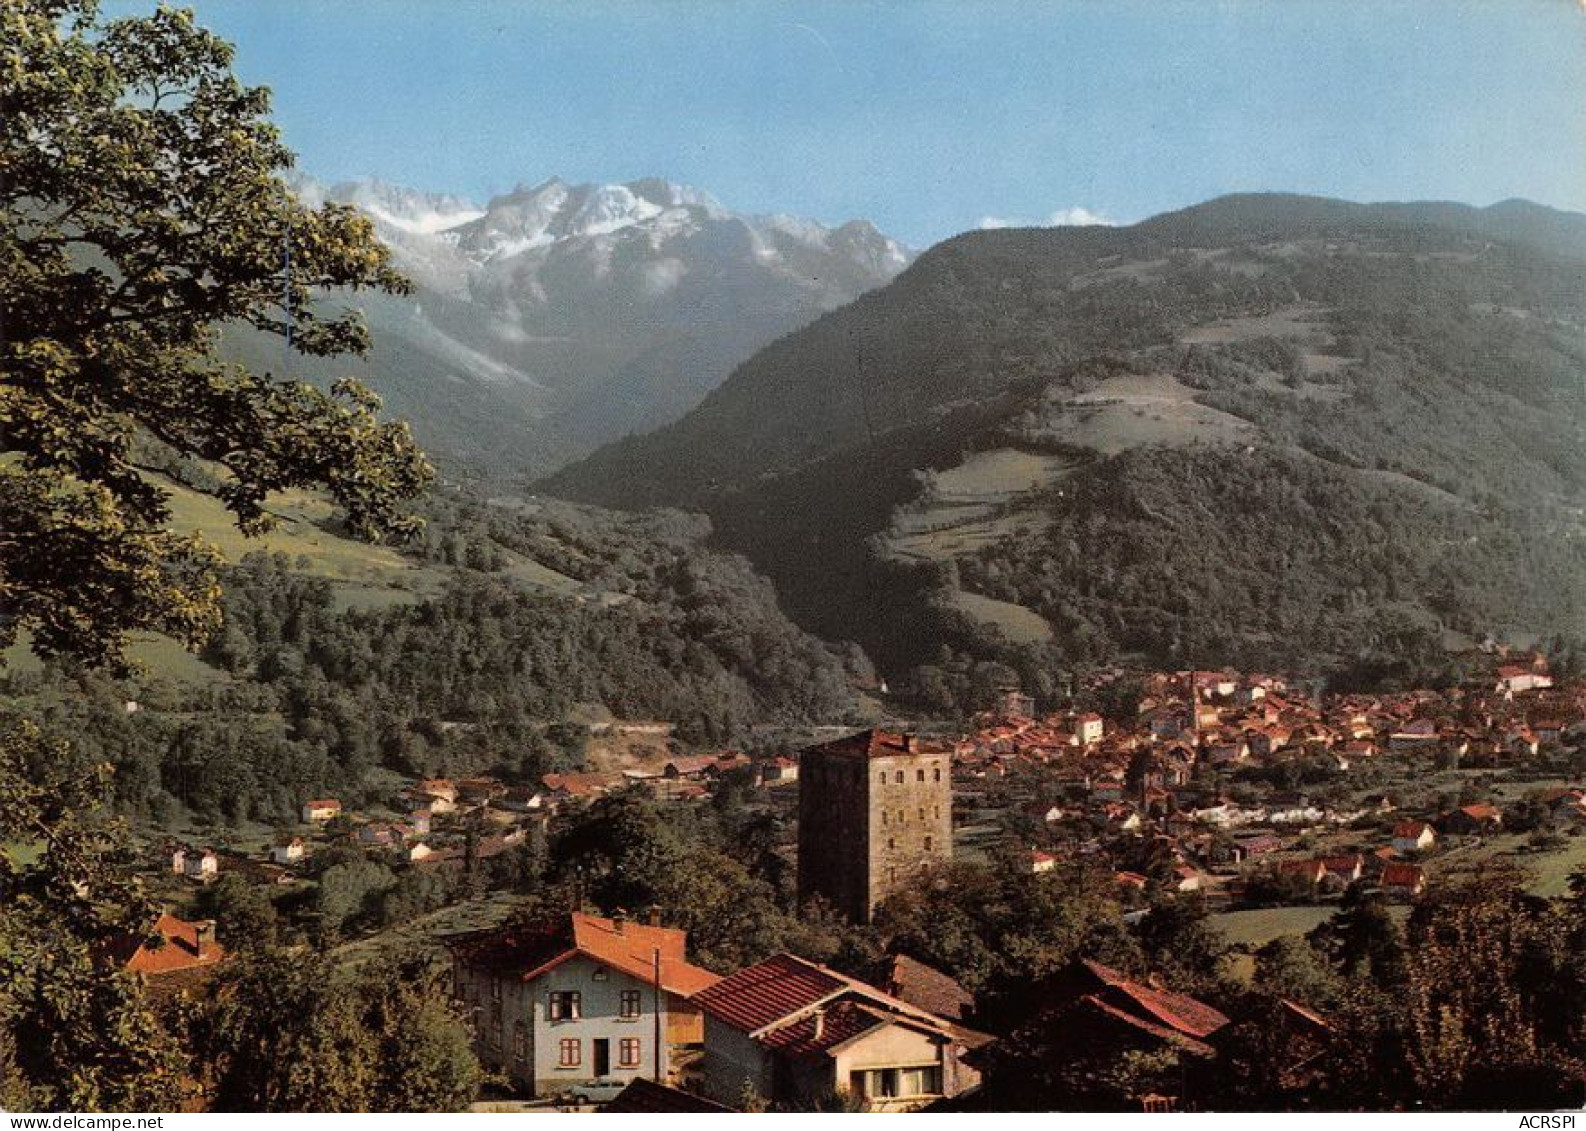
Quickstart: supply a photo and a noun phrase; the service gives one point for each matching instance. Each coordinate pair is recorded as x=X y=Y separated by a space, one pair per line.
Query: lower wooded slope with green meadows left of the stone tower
x=508 y=619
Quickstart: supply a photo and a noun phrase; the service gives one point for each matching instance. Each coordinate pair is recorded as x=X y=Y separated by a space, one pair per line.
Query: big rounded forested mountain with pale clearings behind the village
x=1266 y=431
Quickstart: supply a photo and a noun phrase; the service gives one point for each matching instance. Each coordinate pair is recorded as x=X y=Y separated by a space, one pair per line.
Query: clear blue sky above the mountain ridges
x=929 y=118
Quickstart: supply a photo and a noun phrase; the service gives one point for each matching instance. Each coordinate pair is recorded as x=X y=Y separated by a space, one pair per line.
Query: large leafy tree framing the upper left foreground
x=144 y=207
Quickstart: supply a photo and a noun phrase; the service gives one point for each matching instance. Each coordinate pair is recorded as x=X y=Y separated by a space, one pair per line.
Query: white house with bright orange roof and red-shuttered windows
x=578 y=1002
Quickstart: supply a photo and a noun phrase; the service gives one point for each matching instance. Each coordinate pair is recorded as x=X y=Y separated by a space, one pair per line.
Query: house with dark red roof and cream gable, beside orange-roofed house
x=792 y=1030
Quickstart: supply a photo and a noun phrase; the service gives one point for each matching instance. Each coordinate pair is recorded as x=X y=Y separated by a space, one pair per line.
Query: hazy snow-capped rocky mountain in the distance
x=562 y=316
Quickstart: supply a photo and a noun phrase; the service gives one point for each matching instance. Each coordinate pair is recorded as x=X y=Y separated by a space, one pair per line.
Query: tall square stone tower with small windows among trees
x=873 y=811
